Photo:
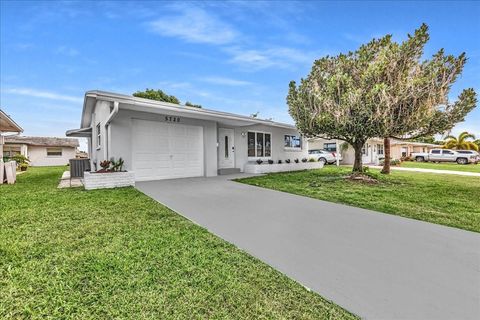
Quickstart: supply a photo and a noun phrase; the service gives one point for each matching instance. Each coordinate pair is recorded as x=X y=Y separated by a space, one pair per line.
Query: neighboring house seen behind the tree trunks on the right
x=373 y=150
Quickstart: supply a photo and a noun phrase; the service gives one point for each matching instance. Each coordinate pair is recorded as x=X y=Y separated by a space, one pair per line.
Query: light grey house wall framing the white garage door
x=121 y=137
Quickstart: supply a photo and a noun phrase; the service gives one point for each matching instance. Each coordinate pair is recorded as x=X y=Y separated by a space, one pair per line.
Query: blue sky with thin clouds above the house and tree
x=233 y=56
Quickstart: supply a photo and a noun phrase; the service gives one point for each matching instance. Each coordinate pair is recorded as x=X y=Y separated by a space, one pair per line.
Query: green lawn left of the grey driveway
x=104 y=254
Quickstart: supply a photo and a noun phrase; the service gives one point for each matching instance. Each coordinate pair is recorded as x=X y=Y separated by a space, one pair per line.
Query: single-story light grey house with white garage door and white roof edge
x=160 y=140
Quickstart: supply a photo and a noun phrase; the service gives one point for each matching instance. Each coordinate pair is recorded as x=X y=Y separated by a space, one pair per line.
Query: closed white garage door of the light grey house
x=166 y=151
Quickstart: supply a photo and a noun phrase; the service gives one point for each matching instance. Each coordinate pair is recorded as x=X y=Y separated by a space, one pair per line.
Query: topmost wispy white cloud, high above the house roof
x=194 y=25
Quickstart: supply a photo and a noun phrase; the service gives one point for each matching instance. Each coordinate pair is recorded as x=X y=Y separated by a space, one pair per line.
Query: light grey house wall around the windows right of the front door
x=278 y=150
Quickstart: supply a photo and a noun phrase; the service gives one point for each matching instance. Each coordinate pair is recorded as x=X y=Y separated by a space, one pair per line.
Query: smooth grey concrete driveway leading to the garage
x=378 y=266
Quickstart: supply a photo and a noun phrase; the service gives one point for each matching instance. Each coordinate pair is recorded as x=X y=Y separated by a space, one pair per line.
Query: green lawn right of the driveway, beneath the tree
x=444 y=199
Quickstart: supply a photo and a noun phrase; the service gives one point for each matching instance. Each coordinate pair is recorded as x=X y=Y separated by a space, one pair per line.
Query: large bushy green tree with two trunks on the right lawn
x=380 y=90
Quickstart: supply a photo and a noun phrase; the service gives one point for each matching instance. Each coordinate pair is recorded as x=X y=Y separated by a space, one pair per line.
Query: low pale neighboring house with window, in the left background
x=42 y=151
